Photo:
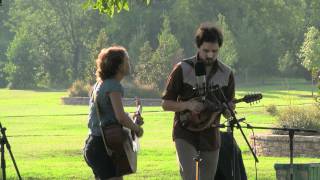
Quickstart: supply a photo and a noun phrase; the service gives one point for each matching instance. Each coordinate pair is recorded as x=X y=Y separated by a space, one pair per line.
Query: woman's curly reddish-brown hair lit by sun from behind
x=109 y=61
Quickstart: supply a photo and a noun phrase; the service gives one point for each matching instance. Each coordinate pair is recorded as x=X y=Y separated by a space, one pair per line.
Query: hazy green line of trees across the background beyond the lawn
x=52 y=43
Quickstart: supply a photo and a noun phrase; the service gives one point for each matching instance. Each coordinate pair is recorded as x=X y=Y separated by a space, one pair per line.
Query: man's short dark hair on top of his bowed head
x=207 y=32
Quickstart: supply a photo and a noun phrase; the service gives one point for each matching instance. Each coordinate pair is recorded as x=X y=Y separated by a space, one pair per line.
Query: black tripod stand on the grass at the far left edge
x=4 y=142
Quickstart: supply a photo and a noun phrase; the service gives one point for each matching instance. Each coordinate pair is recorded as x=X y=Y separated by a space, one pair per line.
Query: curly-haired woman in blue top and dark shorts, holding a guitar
x=106 y=109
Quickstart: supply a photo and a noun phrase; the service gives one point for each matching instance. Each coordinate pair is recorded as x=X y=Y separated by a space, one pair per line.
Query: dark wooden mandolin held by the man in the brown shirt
x=206 y=118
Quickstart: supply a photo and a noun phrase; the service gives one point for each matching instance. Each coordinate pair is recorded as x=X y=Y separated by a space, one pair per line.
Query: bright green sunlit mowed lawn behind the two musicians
x=47 y=137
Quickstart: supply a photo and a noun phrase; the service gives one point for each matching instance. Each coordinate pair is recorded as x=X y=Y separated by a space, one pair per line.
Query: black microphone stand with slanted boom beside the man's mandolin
x=232 y=123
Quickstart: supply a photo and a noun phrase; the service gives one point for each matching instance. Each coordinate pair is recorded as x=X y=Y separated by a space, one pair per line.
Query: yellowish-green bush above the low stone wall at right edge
x=299 y=117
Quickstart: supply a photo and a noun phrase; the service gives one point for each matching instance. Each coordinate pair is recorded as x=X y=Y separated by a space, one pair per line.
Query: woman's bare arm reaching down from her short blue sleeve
x=121 y=116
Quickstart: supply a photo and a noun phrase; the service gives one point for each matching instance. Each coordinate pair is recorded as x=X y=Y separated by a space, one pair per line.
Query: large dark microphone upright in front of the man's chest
x=201 y=85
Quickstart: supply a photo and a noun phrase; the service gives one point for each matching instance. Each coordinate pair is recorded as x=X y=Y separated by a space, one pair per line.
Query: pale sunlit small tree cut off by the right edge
x=310 y=51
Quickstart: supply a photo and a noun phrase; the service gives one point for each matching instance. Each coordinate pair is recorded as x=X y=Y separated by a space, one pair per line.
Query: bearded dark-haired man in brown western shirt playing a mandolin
x=197 y=114
